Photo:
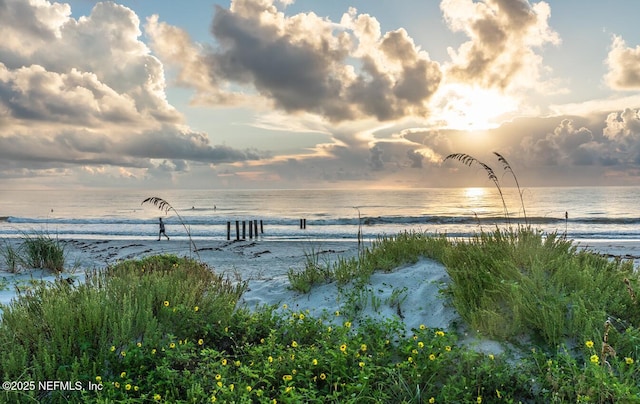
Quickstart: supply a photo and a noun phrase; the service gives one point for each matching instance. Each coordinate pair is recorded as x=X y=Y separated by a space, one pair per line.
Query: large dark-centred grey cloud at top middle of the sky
x=304 y=63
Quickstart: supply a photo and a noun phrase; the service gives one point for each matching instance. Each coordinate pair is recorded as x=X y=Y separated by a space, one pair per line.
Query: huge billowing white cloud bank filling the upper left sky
x=88 y=92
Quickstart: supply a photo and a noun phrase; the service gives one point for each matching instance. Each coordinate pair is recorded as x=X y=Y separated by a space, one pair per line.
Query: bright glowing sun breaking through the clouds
x=465 y=107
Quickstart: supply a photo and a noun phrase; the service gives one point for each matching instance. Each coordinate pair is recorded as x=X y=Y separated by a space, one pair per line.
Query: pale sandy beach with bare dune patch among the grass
x=264 y=264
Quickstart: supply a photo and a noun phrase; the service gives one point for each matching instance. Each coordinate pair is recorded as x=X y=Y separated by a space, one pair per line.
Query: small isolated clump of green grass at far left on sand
x=35 y=251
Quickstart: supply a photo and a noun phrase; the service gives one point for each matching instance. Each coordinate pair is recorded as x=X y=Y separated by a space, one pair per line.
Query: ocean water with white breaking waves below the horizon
x=583 y=213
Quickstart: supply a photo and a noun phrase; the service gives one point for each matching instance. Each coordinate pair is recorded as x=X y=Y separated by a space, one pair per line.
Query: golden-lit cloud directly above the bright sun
x=503 y=38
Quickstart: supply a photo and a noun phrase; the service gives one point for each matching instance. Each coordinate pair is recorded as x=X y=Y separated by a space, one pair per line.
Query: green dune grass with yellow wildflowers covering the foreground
x=167 y=329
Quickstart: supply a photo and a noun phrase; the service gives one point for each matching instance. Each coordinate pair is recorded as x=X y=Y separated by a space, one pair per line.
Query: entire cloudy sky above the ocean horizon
x=317 y=94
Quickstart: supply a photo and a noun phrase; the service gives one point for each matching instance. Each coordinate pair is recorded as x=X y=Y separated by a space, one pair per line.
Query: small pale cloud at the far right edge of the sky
x=624 y=66
